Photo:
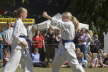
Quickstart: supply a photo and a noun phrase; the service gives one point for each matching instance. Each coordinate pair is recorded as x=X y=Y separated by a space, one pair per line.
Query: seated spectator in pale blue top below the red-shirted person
x=36 y=59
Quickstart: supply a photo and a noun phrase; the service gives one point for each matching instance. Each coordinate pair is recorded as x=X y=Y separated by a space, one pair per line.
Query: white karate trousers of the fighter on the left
x=19 y=57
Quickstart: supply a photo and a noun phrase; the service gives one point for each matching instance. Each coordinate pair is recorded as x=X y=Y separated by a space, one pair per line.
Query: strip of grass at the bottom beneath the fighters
x=65 y=70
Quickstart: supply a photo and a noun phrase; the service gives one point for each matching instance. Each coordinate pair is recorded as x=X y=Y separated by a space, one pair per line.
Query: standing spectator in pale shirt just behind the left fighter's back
x=7 y=36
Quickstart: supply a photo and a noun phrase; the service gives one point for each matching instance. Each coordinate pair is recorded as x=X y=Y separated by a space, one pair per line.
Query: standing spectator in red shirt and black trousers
x=38 y=42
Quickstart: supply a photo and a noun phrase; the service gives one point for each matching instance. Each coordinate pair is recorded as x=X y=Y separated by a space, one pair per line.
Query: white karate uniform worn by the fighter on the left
x=19 y=53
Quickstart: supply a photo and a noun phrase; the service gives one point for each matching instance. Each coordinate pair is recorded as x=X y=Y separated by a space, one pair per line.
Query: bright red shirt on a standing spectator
x=38 y=42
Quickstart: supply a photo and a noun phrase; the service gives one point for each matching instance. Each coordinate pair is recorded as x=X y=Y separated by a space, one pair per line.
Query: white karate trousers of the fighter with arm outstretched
x=66 y=53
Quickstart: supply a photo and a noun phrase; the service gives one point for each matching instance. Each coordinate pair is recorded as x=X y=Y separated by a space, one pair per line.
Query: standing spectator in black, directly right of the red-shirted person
x=50 y=44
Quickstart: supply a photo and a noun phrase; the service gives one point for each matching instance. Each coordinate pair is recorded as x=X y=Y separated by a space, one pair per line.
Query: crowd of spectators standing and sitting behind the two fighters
x=44 y=46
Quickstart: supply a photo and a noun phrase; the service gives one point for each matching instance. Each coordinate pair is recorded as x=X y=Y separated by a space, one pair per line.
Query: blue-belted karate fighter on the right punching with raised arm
x=66 y=51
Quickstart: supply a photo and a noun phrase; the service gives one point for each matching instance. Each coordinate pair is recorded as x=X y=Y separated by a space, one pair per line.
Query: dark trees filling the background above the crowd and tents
x=87 y=11
